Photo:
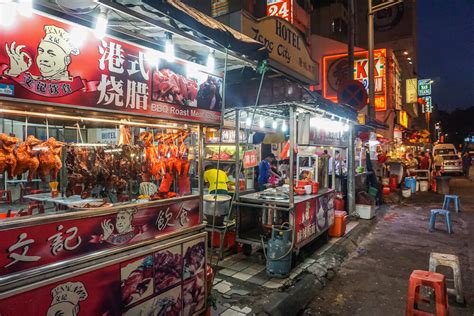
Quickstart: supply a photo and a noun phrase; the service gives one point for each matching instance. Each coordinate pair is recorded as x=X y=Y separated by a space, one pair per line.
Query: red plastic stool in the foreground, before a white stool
x=434 y=280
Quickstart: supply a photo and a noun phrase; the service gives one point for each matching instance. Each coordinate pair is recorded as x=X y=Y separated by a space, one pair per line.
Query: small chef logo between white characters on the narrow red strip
x=122 y=232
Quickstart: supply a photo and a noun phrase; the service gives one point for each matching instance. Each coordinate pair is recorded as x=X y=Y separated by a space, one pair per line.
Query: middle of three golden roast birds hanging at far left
x=26 y=157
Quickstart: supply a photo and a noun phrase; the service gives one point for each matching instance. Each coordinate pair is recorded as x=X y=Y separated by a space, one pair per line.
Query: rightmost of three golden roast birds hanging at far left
x=50 y=159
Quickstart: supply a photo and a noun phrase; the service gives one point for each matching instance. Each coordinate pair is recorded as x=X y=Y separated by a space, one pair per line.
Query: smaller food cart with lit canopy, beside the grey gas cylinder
x=309 y=215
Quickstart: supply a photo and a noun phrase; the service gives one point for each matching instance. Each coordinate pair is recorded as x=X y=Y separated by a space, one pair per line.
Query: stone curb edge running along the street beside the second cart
x=294 y=300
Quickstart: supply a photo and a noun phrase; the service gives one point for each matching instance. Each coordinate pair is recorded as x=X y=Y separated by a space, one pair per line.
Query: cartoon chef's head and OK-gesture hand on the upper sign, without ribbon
x=53 y=58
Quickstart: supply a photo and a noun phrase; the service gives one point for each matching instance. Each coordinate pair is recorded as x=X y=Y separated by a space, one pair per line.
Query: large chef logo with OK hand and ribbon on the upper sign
x=53 y=58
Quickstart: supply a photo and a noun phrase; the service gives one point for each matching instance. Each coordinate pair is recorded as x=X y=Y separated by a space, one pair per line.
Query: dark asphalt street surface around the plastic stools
x=375 y=281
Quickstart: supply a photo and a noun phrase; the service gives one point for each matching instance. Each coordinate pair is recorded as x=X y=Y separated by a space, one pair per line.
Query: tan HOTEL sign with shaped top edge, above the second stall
x=284 y=44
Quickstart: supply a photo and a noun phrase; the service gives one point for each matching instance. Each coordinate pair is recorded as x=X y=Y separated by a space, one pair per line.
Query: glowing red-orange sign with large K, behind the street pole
x=335 y=72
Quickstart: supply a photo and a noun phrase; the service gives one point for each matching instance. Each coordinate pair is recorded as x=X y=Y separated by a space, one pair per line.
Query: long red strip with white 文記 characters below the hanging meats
x=46 y=243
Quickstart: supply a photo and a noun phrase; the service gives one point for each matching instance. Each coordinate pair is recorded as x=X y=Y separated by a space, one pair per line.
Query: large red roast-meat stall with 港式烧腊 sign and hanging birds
x=114 y=135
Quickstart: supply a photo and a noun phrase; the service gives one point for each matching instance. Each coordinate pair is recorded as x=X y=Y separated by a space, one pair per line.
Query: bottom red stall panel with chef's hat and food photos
x=166 y=281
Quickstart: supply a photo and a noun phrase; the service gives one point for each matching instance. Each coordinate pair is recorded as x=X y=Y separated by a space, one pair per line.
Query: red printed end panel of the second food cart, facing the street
x=313 y=216
